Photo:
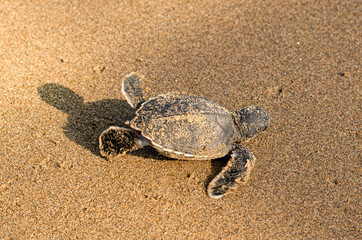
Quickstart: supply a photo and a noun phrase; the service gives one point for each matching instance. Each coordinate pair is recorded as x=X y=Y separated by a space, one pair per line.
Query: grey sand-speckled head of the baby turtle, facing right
x=251 y=120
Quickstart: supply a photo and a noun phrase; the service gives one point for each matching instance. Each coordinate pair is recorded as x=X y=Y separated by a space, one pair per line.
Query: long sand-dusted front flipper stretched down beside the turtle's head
x=237 y=170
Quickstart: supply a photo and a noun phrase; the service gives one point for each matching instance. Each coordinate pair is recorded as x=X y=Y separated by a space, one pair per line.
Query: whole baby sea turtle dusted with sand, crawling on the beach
x=188 y=127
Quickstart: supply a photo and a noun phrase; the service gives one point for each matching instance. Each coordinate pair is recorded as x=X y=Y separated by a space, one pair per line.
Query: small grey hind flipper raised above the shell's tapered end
x=132 y=90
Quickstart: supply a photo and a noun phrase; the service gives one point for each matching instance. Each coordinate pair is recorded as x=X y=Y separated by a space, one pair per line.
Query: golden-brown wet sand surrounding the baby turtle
x=61 y=66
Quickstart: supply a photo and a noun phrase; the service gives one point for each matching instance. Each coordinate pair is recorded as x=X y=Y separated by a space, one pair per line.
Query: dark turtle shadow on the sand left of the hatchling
x=86 y=121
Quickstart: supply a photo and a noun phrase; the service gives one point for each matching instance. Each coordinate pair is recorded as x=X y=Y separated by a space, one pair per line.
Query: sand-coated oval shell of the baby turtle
x=186 y=127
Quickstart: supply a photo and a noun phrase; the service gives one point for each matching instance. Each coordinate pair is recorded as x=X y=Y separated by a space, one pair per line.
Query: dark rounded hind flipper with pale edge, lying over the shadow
x=117 y=140
